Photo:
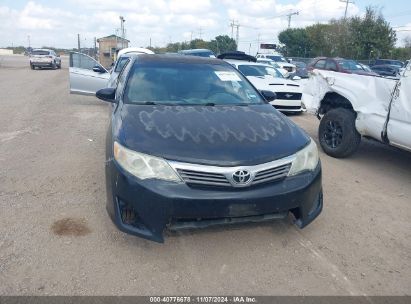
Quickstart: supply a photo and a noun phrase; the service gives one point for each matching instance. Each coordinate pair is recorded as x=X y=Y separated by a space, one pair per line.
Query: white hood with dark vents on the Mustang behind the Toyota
x=274 y=84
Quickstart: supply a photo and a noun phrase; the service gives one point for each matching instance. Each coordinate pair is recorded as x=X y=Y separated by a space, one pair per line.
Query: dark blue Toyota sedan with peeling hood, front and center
x=192 y=143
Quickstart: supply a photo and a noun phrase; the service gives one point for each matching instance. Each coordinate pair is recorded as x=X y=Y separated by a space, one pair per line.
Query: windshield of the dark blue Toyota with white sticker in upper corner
x=188 y=84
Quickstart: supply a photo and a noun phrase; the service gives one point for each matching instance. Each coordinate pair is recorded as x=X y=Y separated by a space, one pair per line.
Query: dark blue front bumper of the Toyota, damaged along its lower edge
x=146 y=208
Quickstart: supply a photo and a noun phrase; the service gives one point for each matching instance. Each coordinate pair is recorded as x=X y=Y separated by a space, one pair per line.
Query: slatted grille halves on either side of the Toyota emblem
x=194 y=177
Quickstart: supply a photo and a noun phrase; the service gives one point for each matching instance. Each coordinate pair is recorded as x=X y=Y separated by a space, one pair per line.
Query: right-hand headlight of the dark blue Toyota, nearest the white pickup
x=305 y=160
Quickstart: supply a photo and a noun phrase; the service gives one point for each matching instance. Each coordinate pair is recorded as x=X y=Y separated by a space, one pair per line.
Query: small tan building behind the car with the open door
x=108 y=48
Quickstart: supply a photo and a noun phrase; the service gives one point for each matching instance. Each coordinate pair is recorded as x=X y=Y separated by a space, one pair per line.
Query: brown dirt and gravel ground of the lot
x=56 y=238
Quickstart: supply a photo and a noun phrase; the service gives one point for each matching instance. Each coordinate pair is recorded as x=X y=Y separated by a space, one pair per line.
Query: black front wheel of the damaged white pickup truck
x=337 y=133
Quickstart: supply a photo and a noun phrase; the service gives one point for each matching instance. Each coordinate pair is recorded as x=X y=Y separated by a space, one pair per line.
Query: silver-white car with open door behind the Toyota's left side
x=87 y=76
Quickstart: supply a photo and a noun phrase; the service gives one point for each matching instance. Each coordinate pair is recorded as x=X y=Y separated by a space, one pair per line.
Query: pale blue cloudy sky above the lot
x=57 y=23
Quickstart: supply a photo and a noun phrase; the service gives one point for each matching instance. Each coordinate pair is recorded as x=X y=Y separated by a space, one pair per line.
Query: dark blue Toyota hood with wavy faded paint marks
x=214 y=135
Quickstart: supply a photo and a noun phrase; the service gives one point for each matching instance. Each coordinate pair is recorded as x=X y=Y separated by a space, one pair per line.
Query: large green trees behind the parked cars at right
x=357 y=37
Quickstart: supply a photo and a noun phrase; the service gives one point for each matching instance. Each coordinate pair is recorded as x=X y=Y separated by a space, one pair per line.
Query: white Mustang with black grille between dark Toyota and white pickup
x=265 y=77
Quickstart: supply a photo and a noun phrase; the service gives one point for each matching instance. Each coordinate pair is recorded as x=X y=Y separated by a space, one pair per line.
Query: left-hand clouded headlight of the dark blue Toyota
x=144 y=166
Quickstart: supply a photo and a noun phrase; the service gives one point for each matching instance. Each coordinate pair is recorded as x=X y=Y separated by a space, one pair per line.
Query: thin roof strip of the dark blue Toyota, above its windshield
x=142 y=58
